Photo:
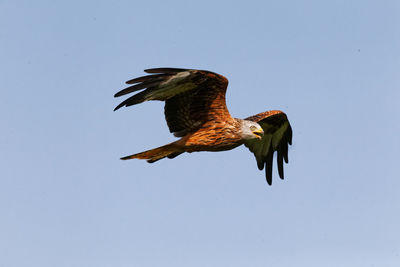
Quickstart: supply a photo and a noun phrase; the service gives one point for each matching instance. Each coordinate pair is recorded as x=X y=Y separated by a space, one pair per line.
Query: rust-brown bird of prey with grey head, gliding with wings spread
x=195 y=110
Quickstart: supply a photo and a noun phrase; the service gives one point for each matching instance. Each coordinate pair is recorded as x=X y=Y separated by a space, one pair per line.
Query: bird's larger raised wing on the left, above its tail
x=192 y=97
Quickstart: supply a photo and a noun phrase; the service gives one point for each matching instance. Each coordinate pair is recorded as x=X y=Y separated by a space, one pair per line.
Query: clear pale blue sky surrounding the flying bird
x=67 y=200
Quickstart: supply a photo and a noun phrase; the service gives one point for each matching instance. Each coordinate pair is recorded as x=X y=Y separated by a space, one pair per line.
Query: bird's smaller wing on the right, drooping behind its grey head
x=277 y=137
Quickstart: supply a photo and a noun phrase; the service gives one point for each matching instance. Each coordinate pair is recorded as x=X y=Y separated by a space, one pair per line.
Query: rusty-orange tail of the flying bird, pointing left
x=170 y=151
